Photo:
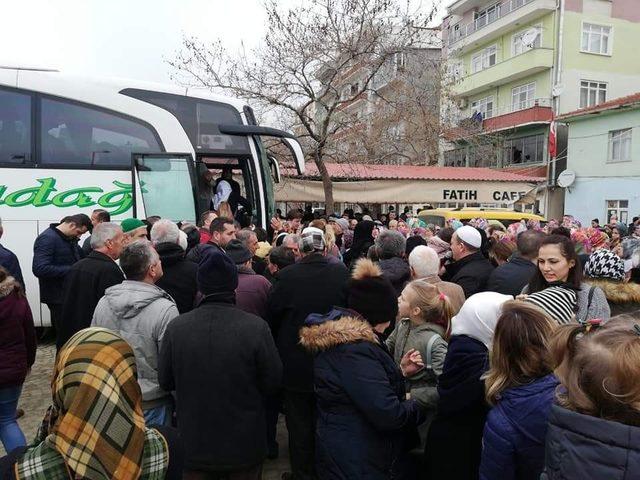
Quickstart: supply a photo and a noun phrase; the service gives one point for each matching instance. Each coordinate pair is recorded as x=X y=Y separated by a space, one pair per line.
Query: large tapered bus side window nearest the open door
x=74 y=134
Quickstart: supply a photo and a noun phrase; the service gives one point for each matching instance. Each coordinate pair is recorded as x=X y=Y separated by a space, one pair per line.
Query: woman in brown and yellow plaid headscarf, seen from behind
x=95 y=429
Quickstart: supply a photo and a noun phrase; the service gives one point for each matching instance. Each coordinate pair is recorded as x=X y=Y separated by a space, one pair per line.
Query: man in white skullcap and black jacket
x=470 y=269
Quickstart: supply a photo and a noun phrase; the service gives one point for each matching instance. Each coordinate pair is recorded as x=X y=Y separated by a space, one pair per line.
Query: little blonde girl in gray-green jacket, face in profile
x=425 y=315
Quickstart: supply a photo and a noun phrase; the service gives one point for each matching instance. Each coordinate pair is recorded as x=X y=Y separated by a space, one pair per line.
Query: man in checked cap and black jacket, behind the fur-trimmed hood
x=313 y=285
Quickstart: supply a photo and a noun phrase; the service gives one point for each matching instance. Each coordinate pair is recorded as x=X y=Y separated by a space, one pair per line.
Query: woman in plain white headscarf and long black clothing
x=454 y=443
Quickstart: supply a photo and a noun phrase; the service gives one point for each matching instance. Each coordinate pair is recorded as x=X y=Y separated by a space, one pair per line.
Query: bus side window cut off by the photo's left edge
x=15 y=128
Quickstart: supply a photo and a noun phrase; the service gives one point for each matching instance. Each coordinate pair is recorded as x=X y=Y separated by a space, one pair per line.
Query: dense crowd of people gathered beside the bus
x=394 y=348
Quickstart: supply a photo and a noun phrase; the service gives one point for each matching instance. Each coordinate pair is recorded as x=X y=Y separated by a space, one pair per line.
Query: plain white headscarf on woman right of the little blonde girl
x=478 y=316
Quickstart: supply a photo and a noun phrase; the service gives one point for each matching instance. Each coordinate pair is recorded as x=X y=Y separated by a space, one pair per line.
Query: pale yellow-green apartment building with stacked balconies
x=514 y=65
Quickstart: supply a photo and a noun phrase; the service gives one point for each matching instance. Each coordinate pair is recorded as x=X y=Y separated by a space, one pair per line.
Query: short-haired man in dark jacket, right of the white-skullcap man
x=511 y=277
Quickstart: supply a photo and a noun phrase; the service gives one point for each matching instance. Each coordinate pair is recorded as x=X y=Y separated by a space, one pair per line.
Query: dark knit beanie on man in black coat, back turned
x=216 y=272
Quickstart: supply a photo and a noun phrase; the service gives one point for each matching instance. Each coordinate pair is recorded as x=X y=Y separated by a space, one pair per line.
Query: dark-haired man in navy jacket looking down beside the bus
x=54 y=253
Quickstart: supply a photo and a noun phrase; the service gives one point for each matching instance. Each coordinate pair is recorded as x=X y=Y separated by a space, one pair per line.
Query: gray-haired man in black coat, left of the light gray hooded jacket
x=89 y=278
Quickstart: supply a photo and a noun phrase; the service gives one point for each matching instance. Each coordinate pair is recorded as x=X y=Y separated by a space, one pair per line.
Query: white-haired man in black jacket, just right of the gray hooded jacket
x=179 y=278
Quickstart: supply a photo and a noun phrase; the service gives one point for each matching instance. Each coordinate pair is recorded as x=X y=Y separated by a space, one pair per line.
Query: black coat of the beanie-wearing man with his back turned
x=222 y=363
